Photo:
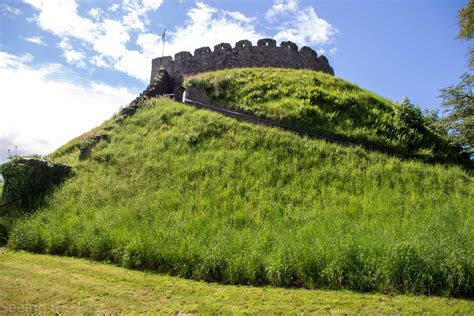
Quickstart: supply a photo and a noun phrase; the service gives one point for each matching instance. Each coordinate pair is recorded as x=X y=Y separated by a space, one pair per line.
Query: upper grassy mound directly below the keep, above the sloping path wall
x=331 y=107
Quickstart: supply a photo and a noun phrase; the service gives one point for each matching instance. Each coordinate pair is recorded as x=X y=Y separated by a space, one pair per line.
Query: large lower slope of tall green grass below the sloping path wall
x=191 y=193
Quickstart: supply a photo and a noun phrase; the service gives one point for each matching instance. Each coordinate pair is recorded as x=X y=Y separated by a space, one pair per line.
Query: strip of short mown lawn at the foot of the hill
x=48 y=284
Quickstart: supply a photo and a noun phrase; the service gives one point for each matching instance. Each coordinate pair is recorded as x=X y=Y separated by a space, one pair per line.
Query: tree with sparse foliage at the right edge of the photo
x=458 y=100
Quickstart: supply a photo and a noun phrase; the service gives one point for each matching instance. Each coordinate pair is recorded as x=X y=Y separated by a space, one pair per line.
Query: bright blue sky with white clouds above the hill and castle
x=67 y=65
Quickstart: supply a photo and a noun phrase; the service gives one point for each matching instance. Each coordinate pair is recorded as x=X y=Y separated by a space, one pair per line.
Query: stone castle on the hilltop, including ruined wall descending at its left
x=167 y=74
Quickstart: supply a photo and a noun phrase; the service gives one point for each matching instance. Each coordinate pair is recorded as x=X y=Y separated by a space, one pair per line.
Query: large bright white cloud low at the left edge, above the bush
x=53 y=111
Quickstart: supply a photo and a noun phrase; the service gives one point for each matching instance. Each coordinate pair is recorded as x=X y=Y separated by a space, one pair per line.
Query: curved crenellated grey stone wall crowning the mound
x=243 y=54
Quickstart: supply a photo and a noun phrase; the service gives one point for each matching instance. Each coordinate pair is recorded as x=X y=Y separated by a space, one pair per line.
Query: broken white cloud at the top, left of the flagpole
x=107 y=37
